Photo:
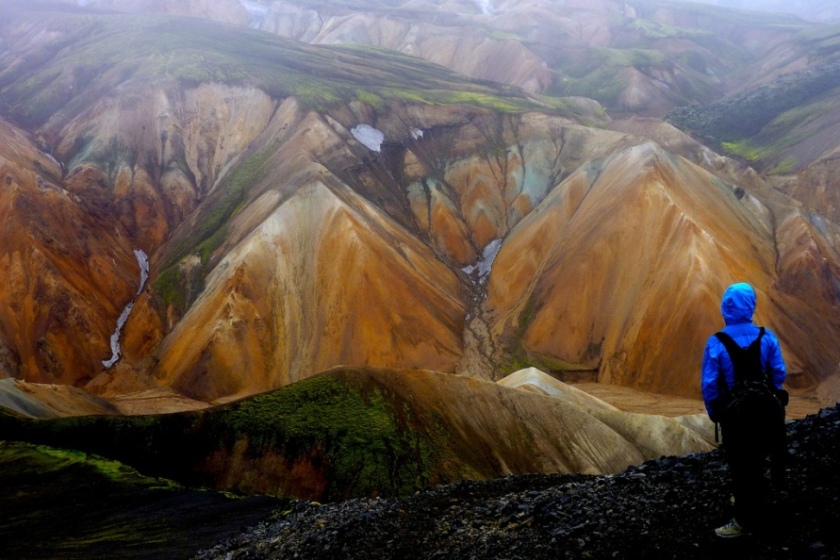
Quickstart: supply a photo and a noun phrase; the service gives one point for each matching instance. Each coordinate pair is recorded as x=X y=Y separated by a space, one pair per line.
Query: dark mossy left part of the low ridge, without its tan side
x=324 y=438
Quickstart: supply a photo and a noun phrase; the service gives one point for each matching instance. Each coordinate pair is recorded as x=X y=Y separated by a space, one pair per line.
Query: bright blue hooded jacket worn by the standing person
x=737 y=307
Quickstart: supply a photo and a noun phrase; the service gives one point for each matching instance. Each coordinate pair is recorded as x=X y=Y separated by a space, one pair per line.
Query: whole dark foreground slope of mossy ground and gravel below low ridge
x=664 y=508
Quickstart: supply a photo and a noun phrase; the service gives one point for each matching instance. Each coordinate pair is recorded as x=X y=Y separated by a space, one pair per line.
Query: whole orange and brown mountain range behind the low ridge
x=483 y=228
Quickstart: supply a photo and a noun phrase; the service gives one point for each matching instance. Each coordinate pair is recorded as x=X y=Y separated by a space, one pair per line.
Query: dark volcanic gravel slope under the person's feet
x=661 y=509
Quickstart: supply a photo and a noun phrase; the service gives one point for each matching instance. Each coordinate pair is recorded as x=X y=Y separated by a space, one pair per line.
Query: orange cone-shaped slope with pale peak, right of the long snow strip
x=319 y=283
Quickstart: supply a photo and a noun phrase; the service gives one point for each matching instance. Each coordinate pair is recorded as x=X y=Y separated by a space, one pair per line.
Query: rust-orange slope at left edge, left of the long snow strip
x=66 y=270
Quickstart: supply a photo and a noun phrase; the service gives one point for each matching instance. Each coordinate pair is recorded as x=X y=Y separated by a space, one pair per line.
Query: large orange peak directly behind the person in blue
x=621 y=268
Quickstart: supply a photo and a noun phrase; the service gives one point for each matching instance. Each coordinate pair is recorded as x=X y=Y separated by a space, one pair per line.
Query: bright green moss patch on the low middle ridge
x=369 y=444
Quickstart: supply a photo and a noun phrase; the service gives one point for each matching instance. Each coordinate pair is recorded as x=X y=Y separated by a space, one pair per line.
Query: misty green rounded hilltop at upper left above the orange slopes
x=78 y=57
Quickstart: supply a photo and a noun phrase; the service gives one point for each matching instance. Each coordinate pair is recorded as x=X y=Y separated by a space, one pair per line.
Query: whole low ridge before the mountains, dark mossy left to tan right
x=362 y=432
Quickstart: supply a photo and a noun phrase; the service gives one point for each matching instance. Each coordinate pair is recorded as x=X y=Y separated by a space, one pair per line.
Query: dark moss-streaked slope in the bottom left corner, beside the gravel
x=67 y=504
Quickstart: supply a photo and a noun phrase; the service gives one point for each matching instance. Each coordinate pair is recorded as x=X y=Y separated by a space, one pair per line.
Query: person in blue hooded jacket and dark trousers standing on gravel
x=747 y=465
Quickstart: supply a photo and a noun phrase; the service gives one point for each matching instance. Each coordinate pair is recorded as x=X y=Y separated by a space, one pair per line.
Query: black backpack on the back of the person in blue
x=751 y=412
